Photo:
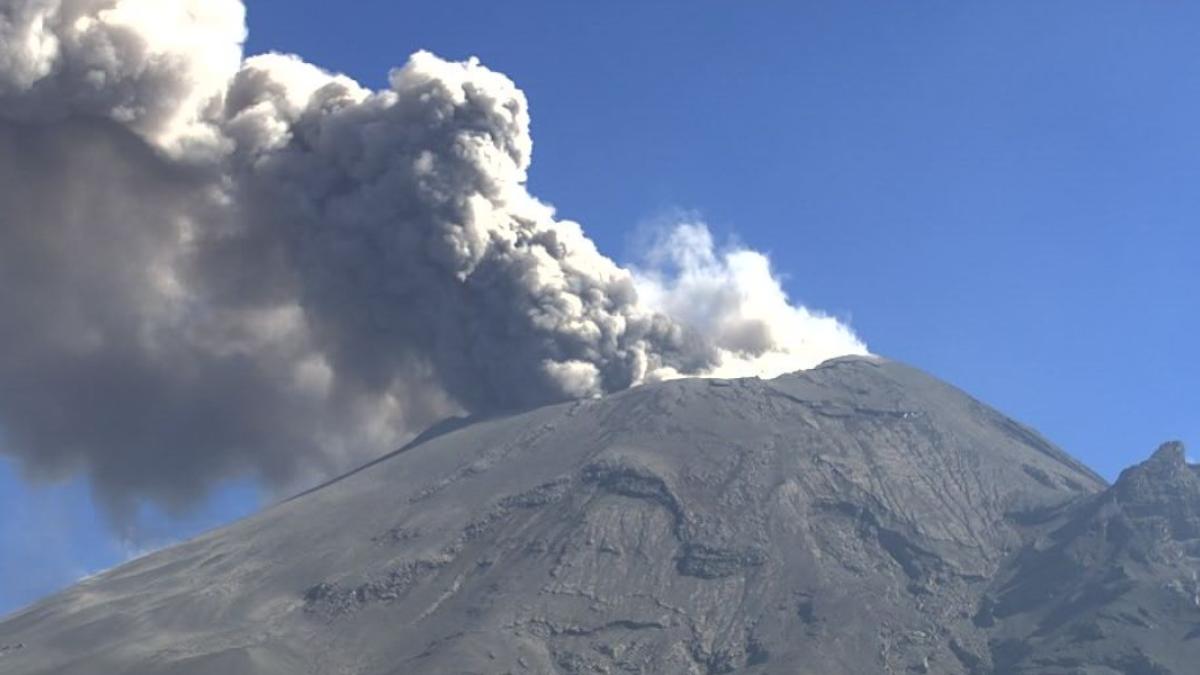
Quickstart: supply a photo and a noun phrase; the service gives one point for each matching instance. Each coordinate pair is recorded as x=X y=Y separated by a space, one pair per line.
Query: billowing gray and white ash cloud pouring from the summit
x=214 y=267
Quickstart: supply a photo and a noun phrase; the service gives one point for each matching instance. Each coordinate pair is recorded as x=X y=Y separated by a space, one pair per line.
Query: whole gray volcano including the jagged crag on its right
x=857 y=518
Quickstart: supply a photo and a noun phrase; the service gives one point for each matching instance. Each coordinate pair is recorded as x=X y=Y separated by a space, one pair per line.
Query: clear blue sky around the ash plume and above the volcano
x=1005 y=195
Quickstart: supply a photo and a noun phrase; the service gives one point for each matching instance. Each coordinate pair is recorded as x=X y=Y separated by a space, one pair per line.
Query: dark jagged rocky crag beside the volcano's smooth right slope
x=1113 y=584
